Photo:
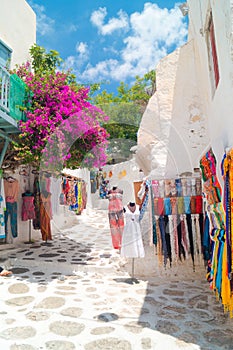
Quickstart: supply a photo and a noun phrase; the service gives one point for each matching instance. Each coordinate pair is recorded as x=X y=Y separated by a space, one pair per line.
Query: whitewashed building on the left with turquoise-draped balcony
x=17 y=35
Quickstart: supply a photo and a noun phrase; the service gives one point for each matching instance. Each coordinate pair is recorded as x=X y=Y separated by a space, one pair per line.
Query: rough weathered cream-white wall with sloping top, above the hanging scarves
x=173 y=131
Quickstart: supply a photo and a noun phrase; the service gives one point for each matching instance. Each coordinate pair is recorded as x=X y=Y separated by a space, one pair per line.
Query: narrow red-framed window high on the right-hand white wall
x=213 y=58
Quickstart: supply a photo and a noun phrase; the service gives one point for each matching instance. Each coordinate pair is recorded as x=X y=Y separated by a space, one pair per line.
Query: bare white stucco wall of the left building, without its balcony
x=18 y=34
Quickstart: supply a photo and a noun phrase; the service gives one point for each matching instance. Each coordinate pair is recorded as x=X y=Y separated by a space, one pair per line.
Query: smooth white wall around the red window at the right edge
x=218 y=106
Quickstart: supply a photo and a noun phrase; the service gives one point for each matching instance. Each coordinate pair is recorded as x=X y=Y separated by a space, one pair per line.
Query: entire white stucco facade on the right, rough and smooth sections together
x=187 y=114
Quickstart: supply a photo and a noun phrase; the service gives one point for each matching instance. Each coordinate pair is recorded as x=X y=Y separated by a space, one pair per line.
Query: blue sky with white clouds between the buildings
x=110 y=41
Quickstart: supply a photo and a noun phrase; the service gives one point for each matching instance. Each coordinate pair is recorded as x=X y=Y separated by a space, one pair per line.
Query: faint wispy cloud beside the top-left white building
x=44 y=24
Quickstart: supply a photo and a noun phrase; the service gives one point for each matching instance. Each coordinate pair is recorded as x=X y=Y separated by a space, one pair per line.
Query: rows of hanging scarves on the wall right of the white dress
x=177 y=219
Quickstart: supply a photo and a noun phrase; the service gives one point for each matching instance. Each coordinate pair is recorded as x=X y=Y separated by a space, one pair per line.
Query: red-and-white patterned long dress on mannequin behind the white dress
x=116 y=216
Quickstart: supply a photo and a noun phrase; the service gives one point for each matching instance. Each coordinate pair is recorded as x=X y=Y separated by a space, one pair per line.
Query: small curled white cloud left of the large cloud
x=98 y=17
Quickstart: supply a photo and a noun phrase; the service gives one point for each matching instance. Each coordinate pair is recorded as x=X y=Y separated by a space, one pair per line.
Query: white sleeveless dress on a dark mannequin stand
x=132 y=245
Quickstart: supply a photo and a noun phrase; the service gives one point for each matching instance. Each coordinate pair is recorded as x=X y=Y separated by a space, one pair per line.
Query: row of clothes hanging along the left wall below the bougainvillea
x=39 y=204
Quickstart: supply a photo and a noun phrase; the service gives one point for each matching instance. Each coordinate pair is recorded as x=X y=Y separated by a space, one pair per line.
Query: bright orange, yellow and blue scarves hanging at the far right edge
x=218 y=233
